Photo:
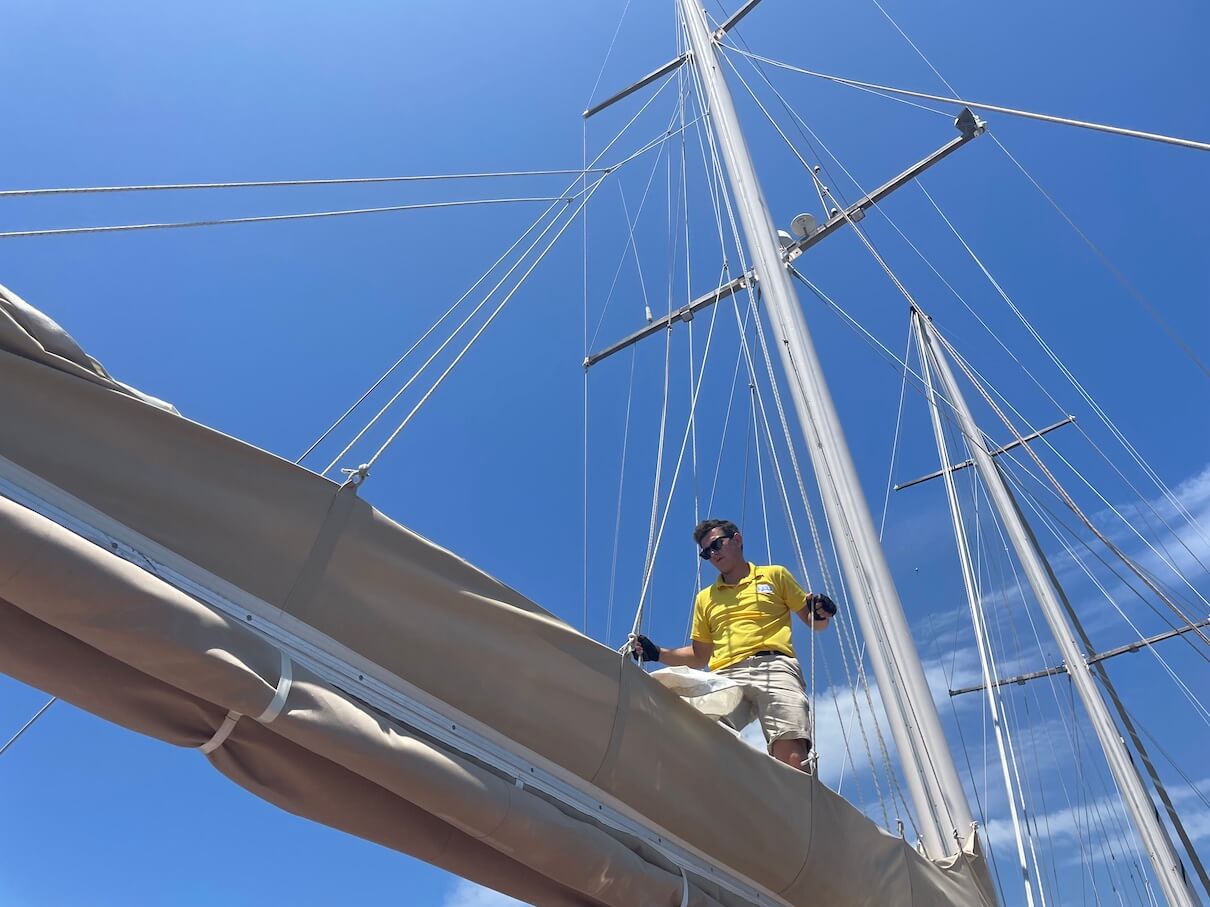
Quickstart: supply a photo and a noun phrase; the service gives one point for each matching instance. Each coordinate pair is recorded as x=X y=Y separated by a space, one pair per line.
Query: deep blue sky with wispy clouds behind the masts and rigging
x=268 y=332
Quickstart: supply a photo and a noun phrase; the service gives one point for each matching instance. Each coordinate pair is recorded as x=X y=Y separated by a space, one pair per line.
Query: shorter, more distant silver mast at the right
x=1042 y=581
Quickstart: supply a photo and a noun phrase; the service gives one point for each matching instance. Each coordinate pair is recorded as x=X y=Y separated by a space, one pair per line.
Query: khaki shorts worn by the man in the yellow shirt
x=774 y=694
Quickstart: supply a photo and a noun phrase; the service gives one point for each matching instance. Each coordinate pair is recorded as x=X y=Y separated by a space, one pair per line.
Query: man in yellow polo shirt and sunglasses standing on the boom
x=742 y=632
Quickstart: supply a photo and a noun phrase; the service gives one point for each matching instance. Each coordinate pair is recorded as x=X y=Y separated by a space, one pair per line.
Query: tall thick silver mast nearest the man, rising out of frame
x=941 y=802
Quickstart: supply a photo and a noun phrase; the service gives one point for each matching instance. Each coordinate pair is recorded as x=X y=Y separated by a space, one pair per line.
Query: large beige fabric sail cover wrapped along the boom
x=113 y=638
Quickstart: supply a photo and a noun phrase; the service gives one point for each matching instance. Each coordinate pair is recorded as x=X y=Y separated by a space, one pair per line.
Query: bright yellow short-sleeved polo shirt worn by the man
x=751 y=616
